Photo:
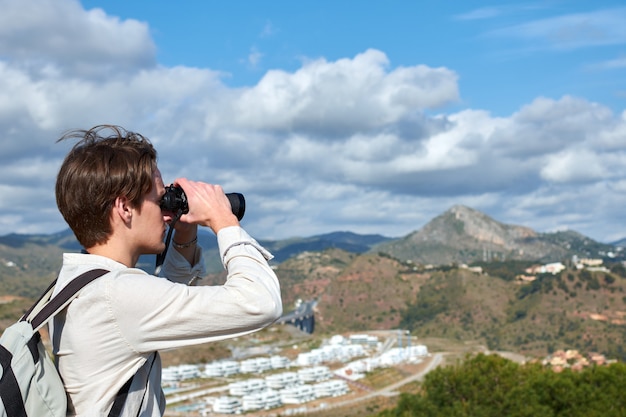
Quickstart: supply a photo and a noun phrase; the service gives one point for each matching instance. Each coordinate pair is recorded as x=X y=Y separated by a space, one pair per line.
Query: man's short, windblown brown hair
x=95 y=172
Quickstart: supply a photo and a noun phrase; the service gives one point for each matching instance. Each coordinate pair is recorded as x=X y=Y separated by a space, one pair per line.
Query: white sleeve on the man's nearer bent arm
x=170 y=315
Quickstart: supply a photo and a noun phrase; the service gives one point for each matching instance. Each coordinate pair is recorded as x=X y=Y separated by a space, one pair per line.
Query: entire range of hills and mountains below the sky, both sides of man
x=415 y=283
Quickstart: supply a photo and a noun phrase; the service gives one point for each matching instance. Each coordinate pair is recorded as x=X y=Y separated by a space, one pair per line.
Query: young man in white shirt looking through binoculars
x=109 y=191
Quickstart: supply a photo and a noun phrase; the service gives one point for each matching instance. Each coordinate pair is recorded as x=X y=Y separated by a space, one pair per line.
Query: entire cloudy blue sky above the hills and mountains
x=369 y=117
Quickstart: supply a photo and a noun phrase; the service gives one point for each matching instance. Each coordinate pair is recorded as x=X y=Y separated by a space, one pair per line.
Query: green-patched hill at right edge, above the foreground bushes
x=576 y=309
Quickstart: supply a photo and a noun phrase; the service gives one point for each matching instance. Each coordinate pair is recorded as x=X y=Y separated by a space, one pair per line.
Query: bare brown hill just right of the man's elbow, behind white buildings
x=353 y=292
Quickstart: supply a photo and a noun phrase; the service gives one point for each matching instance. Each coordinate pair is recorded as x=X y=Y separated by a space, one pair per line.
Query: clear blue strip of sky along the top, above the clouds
x=505 y=53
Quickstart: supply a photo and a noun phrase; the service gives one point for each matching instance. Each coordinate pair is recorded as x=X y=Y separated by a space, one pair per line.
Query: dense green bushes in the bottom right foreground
x=491 y=386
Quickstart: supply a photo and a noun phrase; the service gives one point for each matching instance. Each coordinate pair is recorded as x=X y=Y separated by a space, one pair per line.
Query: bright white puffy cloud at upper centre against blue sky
x=343 y=96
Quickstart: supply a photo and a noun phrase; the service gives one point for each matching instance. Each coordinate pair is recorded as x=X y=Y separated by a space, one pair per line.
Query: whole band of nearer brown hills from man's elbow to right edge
x=574 y=309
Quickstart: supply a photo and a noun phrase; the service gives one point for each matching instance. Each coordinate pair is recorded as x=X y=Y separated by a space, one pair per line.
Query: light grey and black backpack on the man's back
x=30 y=384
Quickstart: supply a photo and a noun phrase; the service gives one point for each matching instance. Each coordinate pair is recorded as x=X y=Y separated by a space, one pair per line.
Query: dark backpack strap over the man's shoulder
x=47 y=306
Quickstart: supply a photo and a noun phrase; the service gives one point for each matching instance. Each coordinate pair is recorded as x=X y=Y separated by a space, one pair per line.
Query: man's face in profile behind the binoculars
x=149 y=221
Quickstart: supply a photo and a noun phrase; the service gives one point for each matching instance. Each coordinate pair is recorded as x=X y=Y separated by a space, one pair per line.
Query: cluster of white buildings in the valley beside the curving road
x=268 y=382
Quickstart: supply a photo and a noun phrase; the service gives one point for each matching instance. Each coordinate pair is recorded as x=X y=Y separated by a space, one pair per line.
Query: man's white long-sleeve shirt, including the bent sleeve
x=118 y=321
